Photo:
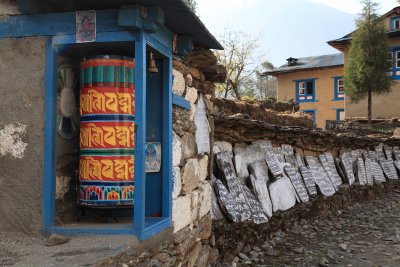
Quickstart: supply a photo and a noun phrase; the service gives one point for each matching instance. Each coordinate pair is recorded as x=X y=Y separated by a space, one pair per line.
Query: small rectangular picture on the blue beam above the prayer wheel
x=86 y=26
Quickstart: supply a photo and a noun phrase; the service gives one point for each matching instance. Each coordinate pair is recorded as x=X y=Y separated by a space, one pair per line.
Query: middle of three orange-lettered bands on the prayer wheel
x=106 y=135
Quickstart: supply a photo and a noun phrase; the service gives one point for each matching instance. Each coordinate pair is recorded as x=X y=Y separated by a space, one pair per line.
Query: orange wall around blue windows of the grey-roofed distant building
x=324 y=92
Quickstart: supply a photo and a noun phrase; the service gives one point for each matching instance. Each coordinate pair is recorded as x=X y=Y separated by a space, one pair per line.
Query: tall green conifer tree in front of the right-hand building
x=365 y=72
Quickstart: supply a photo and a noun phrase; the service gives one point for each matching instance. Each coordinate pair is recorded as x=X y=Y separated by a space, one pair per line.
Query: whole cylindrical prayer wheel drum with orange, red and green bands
x=107 y=108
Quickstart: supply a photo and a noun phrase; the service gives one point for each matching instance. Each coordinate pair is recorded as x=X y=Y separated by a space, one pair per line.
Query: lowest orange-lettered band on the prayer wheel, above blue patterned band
x=106 y=168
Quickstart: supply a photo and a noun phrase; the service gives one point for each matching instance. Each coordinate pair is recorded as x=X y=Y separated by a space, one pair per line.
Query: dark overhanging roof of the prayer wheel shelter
x=178 y=16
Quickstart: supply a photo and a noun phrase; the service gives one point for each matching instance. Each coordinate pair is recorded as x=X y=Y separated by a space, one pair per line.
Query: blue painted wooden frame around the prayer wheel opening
x=61 y=33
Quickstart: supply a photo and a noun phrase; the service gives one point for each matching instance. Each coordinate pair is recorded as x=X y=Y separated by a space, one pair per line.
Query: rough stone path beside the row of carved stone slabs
x=366 y=234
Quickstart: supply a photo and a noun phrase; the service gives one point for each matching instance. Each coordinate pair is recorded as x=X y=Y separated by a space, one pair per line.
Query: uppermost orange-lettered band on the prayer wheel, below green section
x=107 y=100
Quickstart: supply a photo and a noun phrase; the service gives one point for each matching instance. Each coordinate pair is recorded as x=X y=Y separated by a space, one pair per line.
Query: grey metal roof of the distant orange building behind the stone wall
x=306 y=63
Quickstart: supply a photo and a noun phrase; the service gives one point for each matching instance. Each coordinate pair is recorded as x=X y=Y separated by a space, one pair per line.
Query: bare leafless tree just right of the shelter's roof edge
x=240 y=59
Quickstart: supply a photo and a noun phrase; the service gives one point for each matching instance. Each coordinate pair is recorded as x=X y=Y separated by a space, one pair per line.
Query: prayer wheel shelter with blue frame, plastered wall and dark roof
x=87 y=113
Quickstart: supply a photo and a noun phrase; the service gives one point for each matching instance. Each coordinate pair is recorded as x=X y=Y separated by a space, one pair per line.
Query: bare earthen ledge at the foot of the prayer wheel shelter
x=19 y=249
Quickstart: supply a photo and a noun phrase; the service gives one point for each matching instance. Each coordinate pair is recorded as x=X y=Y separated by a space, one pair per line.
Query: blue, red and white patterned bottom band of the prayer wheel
x=106 y=195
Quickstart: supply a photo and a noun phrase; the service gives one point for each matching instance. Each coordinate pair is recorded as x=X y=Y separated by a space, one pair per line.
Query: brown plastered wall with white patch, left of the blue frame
x=22 y=74
